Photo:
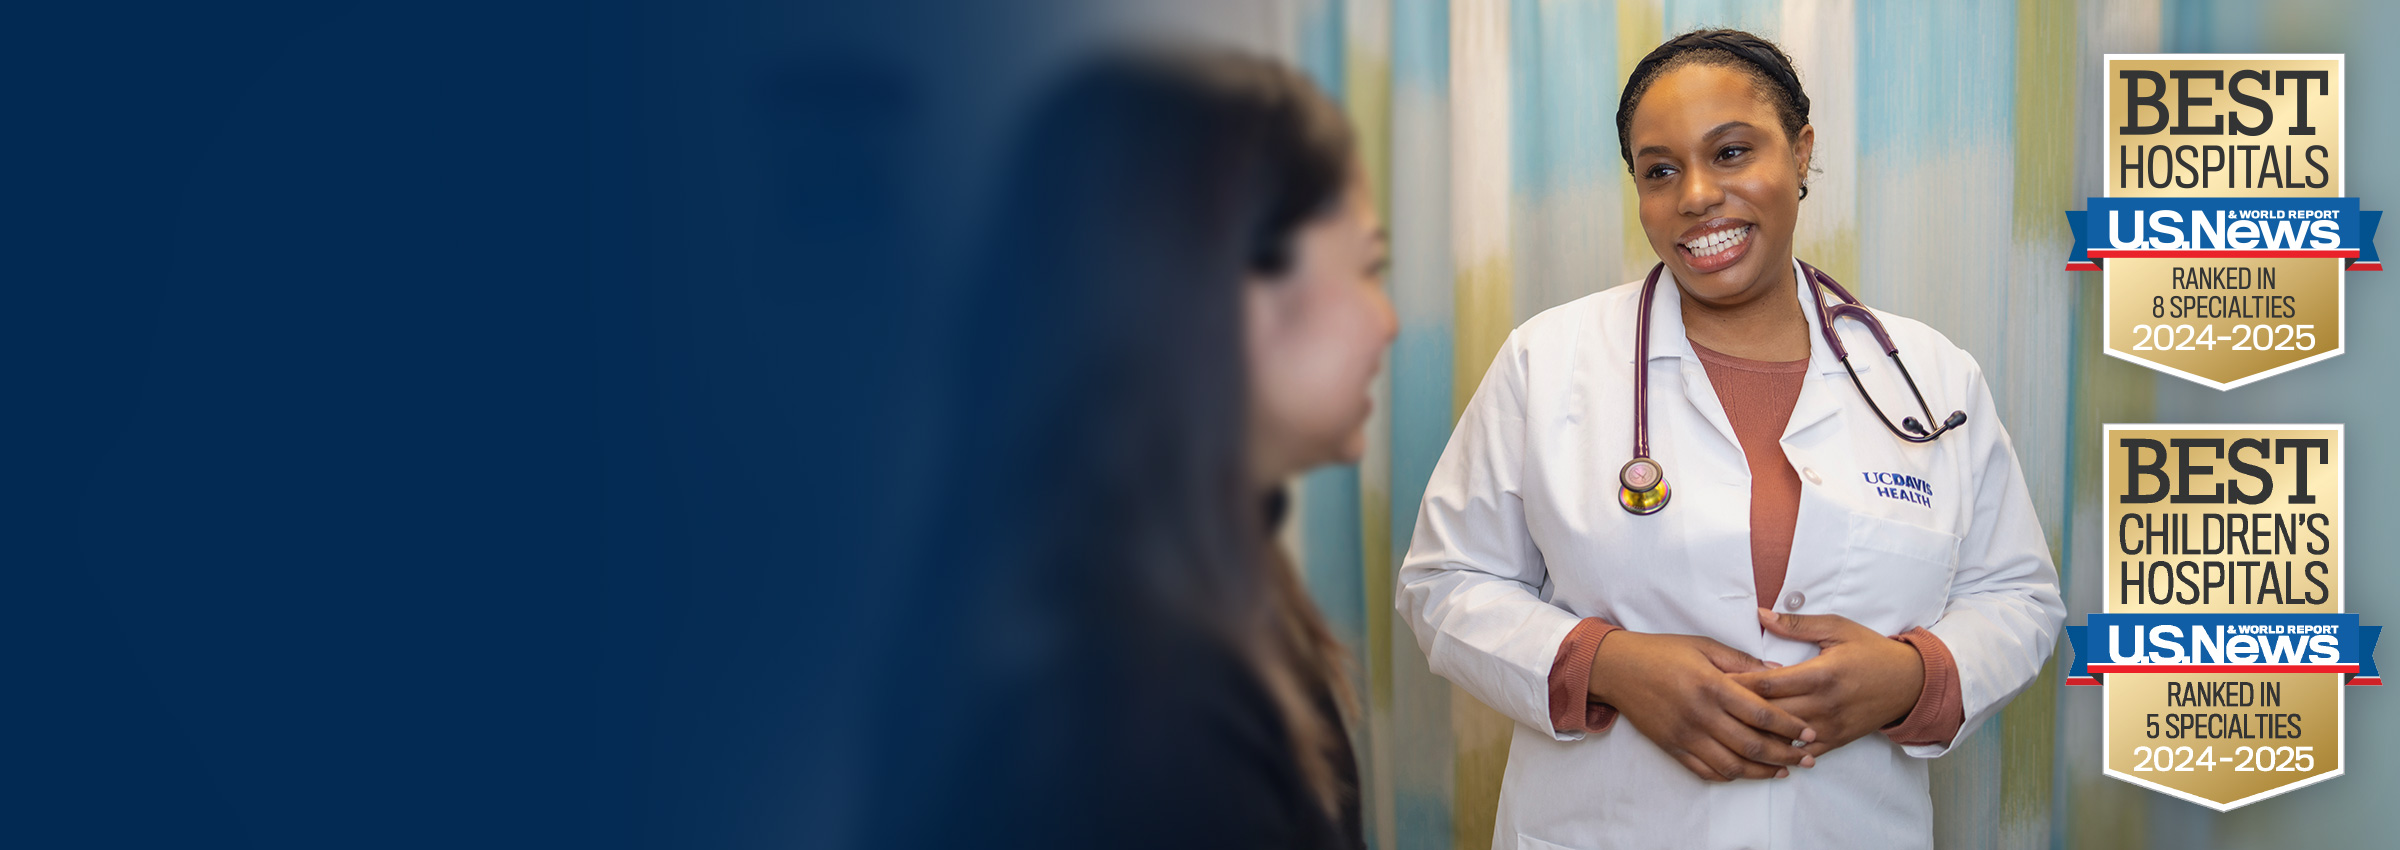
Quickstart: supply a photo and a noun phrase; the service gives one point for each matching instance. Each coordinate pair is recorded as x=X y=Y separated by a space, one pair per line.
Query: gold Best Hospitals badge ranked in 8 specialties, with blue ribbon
x=2224 y=239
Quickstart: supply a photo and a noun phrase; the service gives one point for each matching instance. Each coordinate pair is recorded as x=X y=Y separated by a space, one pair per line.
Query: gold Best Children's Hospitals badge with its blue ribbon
x=2224 y=650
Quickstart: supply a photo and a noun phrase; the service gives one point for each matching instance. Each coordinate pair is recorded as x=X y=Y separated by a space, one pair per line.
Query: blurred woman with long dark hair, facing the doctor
x=1189 y=313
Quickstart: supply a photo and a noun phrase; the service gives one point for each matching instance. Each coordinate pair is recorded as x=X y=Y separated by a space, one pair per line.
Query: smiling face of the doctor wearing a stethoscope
x=1720 y=181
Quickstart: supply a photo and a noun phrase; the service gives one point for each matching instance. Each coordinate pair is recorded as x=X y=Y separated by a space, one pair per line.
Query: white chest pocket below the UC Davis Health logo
x=1897 y=575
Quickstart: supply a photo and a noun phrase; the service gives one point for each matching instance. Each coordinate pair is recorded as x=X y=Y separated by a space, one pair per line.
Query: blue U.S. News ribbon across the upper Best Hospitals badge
x=2224 y=229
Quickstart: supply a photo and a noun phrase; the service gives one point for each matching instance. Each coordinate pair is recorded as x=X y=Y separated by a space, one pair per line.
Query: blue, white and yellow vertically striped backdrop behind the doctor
x=1950 y=140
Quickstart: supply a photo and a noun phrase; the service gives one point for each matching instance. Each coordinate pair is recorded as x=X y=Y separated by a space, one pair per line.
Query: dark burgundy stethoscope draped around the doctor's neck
x=1643 y=481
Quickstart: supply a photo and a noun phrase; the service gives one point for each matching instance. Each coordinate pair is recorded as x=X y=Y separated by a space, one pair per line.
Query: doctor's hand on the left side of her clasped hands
x=1676 y=690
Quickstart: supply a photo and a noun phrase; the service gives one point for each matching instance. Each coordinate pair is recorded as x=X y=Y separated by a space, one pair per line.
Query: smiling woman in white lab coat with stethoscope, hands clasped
x=1818 y=611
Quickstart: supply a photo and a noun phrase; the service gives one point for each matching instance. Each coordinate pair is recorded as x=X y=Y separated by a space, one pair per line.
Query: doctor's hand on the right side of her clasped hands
x=1856 y=686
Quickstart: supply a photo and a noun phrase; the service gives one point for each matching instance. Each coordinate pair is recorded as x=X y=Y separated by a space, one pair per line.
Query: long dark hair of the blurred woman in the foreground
x=1112 y=381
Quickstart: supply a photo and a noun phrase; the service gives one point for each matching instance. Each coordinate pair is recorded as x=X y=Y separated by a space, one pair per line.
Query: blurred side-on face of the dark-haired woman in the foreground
x=1316 y=340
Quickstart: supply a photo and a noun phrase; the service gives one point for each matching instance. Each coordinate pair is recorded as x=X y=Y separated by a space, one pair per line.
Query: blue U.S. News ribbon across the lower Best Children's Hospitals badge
x=2224 y=645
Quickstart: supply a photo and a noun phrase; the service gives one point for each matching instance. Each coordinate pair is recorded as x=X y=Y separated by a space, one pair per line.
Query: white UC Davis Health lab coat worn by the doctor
x=1520 y=537
